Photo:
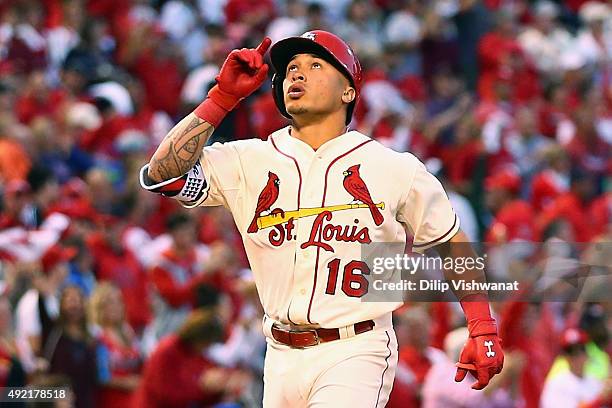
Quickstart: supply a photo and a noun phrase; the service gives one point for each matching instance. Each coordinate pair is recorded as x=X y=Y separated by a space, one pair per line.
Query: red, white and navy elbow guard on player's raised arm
x=191 y=189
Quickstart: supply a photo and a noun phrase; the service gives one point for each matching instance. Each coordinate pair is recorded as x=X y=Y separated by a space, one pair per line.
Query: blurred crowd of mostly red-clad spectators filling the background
x=129 y=300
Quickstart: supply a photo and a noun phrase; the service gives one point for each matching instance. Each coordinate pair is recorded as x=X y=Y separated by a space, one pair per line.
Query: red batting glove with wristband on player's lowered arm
x=482 y=355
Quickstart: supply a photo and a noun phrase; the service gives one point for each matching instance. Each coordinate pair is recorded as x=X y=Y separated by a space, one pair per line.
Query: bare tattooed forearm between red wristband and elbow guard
x=180 y=149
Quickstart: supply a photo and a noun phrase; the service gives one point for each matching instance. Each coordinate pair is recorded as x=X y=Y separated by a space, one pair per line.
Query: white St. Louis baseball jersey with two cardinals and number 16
x=304 y=215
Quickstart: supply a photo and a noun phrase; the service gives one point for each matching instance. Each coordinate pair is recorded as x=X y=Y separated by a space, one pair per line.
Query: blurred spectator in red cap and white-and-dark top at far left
x=39 y=306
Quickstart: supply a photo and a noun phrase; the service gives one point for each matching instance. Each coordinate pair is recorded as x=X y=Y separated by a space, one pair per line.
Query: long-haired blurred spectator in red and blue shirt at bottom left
x=118 y=357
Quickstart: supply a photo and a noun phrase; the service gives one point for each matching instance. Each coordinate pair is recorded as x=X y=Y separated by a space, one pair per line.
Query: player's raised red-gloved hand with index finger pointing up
x=242 y=73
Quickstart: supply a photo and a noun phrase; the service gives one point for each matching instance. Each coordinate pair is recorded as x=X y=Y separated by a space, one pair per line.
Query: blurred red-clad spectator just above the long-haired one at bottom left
x=114 y=262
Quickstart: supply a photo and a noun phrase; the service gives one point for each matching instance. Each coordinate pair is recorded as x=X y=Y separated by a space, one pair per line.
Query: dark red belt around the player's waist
x=312 y=337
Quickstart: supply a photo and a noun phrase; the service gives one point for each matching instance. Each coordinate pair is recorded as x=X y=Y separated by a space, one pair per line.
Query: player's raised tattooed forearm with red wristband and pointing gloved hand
x=242 y=73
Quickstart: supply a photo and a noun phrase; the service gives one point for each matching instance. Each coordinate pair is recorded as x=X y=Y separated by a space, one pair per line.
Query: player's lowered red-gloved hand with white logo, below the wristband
x=482 y=355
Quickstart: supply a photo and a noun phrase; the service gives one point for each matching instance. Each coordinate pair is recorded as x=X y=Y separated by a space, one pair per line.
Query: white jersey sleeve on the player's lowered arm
x=427 y=211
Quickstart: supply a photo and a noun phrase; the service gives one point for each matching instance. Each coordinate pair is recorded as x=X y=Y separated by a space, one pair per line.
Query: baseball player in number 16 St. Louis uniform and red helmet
x=305 y=201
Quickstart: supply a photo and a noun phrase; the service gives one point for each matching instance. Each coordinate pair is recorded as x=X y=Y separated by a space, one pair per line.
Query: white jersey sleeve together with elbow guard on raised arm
x=213 y=180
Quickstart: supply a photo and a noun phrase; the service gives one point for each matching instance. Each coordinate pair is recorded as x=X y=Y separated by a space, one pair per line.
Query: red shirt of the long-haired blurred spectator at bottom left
x=122 y=360
